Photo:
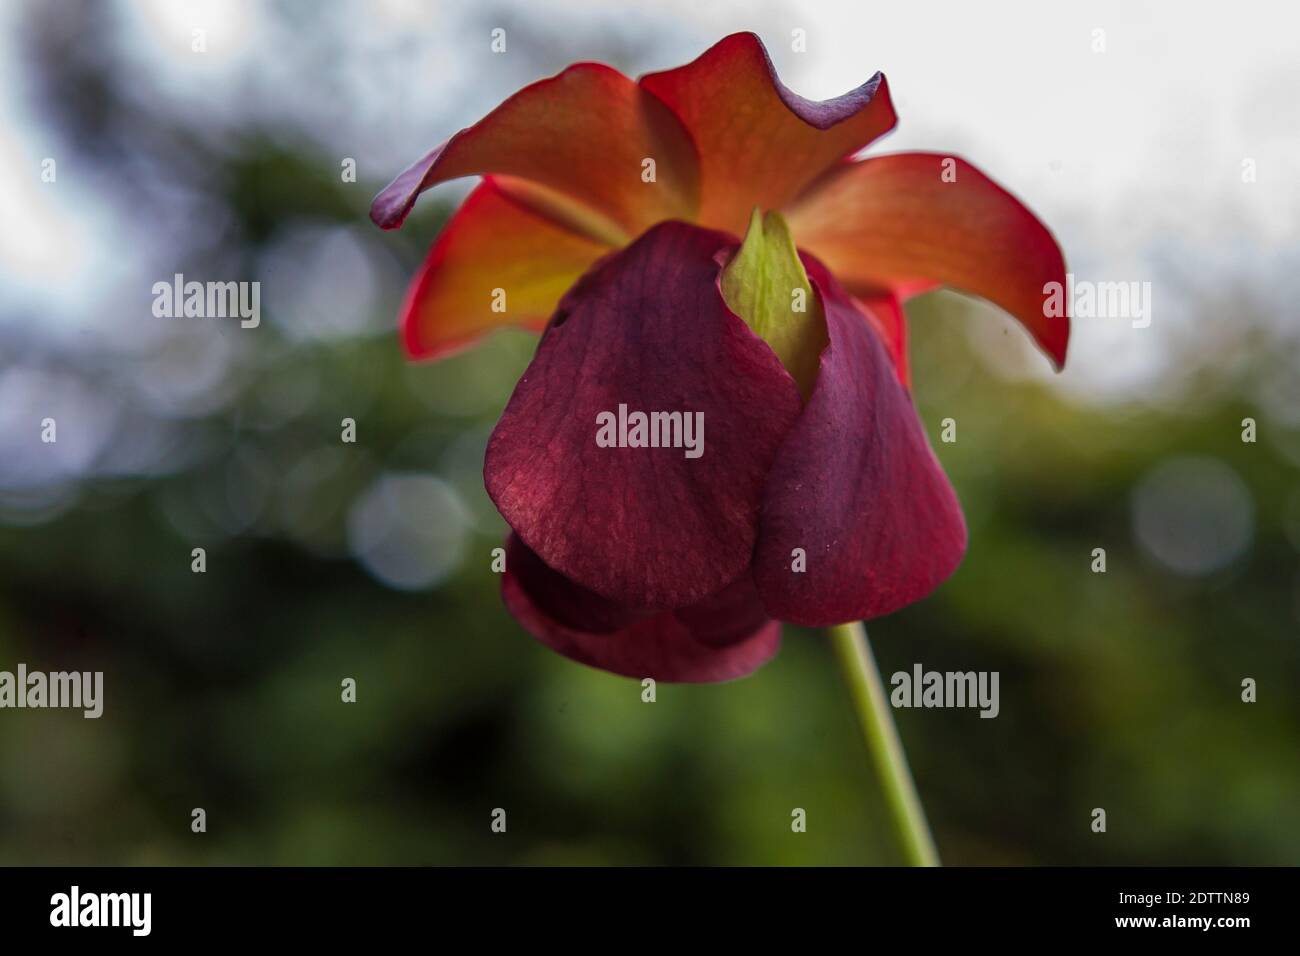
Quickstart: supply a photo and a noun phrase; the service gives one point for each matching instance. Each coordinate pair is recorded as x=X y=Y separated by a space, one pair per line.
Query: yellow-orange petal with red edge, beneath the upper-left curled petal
x=491 y=244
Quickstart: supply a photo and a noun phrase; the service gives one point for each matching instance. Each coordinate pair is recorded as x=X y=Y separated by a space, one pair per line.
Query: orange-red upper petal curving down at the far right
x=899 y=223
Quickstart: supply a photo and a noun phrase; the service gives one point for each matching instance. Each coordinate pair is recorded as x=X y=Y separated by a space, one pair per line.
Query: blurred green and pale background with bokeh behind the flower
x=372 y=560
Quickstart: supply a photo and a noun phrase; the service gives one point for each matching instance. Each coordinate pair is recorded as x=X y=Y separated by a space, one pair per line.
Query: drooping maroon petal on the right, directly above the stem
x=857 y=487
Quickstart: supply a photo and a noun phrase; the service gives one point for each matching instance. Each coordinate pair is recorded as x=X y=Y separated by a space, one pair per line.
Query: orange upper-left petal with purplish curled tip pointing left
x=582 y=136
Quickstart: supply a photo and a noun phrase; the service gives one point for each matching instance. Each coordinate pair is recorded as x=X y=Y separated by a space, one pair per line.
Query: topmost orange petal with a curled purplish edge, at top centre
x=760 y=144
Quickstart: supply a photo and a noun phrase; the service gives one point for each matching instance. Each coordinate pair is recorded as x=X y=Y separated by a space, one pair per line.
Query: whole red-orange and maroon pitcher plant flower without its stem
x=610 y=215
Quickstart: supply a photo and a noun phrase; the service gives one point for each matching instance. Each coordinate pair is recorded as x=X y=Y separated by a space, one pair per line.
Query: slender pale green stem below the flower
x=887 y=755
